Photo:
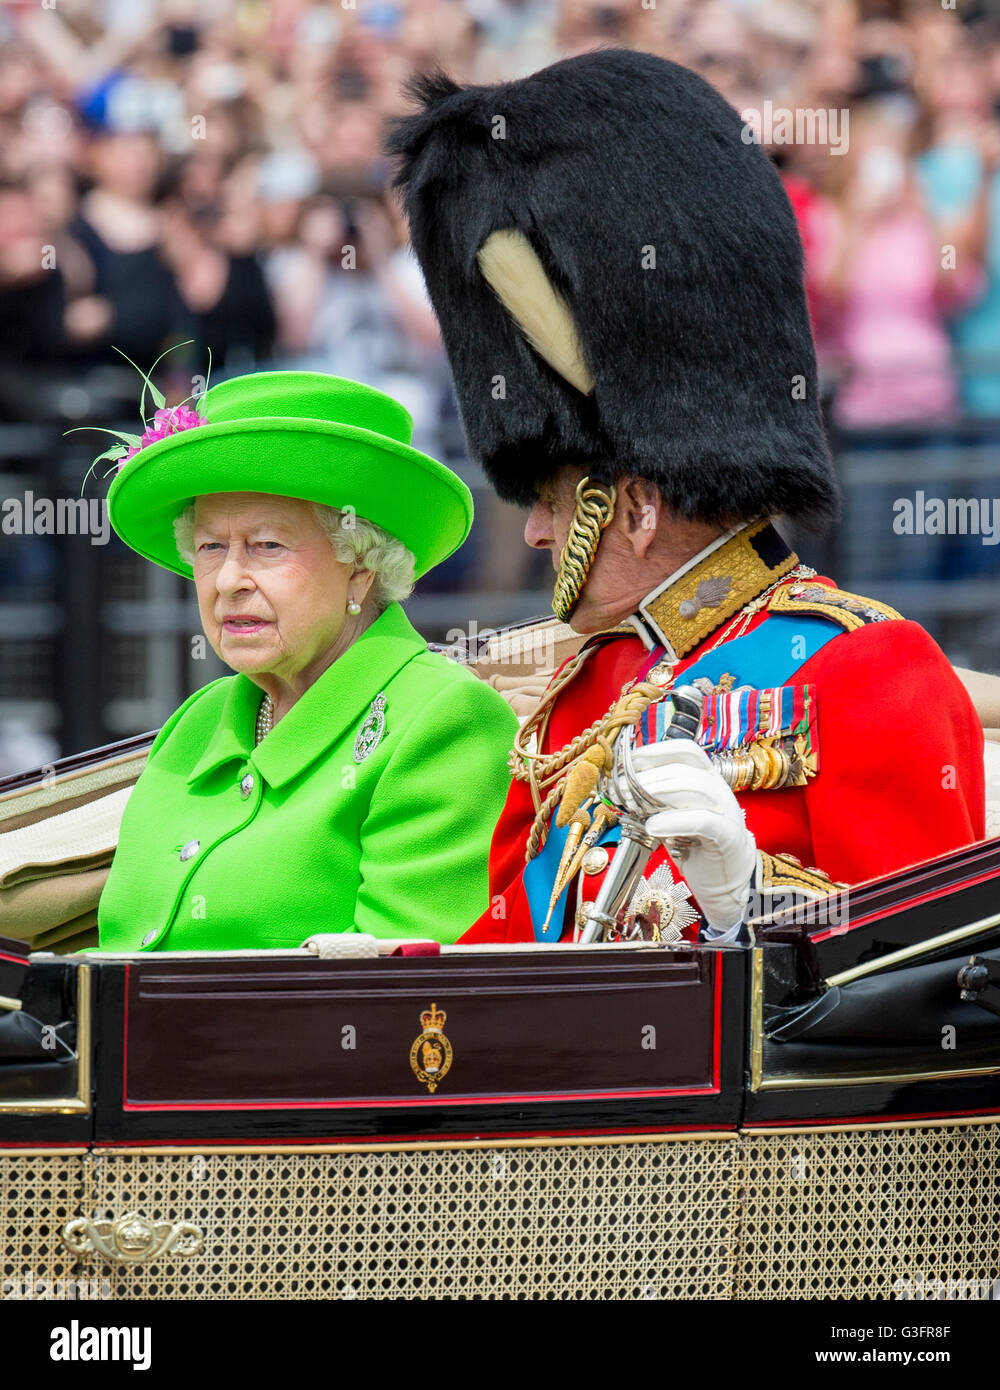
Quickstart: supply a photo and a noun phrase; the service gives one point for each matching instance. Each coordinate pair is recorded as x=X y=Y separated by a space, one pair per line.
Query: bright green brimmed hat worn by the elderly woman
x=296 y=434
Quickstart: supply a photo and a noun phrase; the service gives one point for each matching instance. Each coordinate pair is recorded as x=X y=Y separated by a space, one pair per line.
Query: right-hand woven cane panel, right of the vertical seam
x=870 y=1214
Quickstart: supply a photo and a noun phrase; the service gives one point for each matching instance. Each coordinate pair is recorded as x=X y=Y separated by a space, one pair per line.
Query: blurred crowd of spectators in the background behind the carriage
x=212 y=172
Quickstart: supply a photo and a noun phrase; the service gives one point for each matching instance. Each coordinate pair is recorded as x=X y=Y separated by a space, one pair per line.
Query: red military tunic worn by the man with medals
x=901 y=765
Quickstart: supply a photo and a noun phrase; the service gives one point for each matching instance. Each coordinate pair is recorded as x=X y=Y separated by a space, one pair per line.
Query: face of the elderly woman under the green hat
x=272 y=593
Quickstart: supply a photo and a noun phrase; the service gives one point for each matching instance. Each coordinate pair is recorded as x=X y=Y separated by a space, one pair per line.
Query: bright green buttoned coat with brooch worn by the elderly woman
x=298 y=836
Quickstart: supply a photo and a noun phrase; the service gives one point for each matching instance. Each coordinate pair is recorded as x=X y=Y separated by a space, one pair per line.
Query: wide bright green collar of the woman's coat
x=319 y=718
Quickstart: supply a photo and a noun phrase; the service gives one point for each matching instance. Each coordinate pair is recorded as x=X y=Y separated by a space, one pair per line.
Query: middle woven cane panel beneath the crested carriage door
x=593 y=1221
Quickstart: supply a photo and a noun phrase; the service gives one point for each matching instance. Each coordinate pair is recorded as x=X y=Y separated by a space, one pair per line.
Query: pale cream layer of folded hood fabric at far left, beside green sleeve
x=72 y=843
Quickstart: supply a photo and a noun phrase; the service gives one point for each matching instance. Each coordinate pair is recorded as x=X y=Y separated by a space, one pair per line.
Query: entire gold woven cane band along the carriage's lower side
x=864 y=1214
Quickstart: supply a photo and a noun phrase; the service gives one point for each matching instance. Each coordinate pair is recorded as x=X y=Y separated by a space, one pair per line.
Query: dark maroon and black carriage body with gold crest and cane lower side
x=802 y=1120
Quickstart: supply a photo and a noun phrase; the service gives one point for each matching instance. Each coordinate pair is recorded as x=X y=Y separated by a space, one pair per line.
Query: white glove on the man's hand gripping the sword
x=718 y=853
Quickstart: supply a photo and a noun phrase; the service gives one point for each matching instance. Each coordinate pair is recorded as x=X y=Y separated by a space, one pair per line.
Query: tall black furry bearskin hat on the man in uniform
x=672 y=244
